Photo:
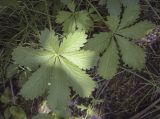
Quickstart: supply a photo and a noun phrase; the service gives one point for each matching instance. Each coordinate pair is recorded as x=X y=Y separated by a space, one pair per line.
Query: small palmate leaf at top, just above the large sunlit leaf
x=74 y=20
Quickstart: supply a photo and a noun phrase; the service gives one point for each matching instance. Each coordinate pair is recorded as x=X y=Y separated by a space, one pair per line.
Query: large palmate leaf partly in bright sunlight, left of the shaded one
x=58 y=71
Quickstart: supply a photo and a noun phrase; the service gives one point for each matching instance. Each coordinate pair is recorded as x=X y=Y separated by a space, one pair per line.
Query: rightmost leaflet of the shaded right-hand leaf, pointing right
x=137 y=31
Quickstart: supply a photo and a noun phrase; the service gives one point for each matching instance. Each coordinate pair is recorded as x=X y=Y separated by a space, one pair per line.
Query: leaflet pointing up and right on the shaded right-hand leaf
x=130 y=15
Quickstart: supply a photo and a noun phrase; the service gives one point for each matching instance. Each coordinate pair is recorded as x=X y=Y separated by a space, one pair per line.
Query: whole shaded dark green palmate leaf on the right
x=121 y=31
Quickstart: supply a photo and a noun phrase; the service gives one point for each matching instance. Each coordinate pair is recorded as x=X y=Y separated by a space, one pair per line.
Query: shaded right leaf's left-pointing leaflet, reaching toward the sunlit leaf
x=99 y=42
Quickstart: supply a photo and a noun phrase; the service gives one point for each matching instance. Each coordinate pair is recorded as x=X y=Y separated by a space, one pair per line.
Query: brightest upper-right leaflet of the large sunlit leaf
x=73 y=42
